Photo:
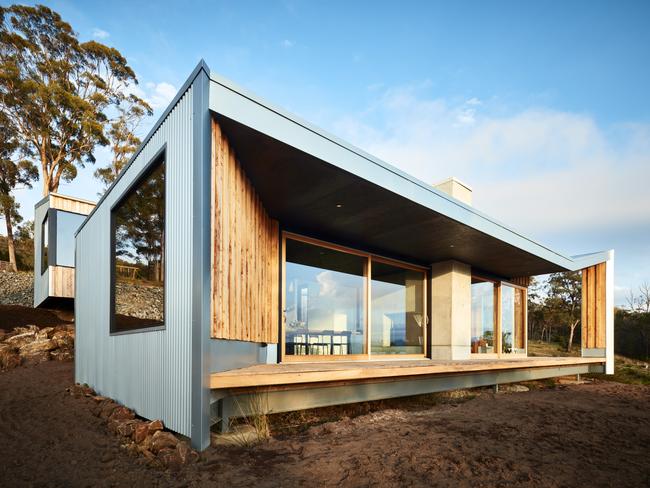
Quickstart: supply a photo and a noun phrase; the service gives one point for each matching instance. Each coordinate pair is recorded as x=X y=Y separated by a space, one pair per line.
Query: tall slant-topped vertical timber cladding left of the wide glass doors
x=245 y=246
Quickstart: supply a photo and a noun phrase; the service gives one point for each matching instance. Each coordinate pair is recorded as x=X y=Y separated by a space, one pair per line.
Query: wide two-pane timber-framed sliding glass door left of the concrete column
x=340 y=302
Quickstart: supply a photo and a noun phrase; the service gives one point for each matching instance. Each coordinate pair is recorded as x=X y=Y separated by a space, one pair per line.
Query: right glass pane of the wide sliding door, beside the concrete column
x=397 y=310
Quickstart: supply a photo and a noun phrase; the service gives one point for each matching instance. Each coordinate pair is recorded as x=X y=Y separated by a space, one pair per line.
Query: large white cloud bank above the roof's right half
x=540 y=170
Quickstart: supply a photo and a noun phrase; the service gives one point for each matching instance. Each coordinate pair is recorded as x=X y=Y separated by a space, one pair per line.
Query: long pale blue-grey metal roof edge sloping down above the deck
x=230 y=85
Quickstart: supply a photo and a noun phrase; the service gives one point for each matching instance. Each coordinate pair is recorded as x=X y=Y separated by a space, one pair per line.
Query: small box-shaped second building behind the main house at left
x=56 y=220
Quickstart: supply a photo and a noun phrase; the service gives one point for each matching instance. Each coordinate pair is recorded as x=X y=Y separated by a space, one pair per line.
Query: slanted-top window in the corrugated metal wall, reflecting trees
x=139 y=251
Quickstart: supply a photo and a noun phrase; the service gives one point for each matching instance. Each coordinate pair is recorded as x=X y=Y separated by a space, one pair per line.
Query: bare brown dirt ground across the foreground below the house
x=593 y=435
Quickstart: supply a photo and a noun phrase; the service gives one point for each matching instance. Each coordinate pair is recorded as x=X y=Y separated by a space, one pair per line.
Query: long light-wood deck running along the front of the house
x=320 y=372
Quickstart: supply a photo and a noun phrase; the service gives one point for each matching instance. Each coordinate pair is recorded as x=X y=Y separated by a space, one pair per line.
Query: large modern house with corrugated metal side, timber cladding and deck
x=245 y=257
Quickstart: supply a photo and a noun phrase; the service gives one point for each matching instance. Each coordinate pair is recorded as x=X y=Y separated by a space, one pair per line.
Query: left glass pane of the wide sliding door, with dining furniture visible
x=325 y=301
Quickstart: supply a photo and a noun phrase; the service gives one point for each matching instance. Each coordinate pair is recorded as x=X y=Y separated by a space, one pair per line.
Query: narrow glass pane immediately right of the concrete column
x=483 y=316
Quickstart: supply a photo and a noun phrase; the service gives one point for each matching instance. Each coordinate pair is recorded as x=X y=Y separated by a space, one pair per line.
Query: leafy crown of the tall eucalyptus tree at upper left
x=57 y=91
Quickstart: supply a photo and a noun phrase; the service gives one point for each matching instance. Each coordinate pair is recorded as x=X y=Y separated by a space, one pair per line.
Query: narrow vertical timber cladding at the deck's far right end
x=593 y=306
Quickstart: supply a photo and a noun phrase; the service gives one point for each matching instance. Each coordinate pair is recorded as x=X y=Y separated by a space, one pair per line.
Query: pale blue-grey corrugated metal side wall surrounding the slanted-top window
x=147 y=371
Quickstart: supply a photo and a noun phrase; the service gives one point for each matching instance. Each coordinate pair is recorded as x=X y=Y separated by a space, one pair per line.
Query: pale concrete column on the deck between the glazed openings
x=451 y=310
